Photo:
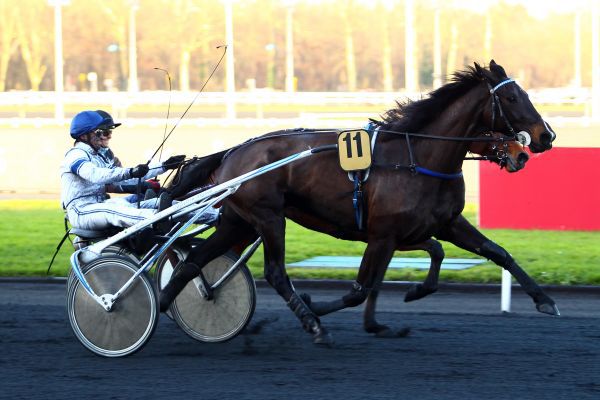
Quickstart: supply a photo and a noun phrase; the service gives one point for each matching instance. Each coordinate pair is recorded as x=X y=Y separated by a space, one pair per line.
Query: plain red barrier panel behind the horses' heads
x=558 y=189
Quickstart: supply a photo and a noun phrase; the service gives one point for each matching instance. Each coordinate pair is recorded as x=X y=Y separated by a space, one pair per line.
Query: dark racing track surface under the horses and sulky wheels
x=460 y=346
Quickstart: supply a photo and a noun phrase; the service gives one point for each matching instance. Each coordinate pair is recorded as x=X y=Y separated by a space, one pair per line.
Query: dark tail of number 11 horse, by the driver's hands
x=195 y=173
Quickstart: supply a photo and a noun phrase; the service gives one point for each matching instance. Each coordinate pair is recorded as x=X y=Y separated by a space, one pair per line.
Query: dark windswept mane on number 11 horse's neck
x=412 y=116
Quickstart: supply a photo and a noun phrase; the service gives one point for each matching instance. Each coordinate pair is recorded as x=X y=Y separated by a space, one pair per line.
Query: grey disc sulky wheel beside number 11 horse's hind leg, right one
x=225 y=315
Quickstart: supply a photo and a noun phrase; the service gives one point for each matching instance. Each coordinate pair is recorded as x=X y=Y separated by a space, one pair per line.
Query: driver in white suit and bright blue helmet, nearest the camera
x=86 y=172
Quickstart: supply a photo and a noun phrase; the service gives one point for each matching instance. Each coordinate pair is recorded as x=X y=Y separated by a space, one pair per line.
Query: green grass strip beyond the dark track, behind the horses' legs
x=31 y=229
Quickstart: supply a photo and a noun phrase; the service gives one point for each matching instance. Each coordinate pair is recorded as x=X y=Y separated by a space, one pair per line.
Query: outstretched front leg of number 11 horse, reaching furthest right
x=464 y=235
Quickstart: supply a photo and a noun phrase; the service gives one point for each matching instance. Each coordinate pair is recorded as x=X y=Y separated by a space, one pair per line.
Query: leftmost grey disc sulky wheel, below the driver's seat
x=134 y=316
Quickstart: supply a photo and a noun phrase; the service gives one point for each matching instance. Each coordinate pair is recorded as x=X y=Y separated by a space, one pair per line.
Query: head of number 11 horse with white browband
x=512 y=112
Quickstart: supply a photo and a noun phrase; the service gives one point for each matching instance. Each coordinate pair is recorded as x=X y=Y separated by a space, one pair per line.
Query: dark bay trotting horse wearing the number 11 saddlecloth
x=415 y=191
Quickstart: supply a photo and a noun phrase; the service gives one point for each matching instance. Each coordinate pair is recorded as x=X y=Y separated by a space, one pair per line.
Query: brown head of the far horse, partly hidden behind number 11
x=507 y=153
